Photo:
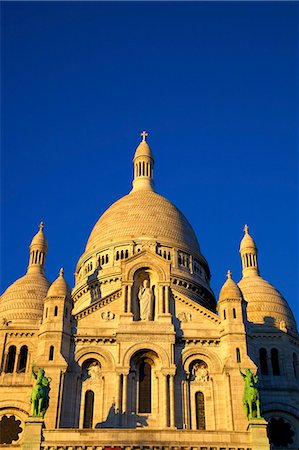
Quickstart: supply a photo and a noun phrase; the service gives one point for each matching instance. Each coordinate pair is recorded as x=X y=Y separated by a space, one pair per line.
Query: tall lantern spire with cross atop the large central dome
x=143 y=166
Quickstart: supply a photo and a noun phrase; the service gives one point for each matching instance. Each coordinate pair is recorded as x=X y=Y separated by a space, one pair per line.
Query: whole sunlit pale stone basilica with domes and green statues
x=140 y=354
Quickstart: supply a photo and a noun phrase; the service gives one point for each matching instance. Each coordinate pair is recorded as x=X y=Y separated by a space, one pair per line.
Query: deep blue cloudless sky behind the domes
x=213 y=83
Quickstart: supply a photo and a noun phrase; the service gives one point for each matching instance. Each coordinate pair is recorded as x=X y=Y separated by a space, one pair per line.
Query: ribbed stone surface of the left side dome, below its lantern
x=23 y=300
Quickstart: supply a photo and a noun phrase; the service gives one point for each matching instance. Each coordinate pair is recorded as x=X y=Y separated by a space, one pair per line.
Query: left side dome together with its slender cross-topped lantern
x=23 y=301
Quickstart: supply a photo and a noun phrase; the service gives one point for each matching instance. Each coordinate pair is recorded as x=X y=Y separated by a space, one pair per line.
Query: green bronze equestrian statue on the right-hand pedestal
x=251 y=397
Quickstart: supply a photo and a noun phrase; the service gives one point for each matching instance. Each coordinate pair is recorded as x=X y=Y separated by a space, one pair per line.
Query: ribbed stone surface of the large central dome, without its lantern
x=143 y=214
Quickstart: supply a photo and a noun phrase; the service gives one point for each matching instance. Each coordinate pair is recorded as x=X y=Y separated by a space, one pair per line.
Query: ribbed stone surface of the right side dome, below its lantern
x=264 y=301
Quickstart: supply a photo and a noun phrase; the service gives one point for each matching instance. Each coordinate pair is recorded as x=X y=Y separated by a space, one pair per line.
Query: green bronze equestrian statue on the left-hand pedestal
x=40 y=393
